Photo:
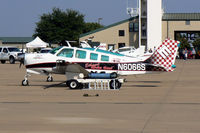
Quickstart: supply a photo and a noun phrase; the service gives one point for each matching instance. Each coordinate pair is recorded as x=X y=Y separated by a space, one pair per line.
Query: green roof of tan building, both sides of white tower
x=166 y=17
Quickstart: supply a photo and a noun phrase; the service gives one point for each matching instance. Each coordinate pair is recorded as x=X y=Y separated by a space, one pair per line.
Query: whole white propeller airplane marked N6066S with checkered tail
x=72 y=61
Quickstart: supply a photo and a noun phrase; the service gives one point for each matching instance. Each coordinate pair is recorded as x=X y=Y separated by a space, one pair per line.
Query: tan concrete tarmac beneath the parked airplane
x=153 y=103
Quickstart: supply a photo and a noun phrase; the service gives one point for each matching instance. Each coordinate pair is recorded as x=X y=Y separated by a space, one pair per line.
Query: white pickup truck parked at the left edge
x=9 y=53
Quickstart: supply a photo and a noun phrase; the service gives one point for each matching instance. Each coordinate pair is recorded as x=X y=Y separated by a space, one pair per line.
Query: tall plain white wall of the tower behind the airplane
x=154 y=23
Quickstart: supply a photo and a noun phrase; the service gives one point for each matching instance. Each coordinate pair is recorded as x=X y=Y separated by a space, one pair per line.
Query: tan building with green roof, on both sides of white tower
x=126 y=32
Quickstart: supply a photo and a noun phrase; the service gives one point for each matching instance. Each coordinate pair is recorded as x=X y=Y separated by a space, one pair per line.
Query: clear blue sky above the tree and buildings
x=18 y=17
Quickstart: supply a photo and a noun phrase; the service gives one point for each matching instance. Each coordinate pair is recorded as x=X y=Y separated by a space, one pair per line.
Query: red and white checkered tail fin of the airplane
x=166 y=62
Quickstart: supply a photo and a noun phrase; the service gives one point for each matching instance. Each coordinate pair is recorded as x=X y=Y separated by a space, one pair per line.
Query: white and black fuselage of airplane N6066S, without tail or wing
x=92 y=60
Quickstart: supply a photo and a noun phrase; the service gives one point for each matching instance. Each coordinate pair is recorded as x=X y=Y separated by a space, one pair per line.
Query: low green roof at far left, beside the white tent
x=20 y=40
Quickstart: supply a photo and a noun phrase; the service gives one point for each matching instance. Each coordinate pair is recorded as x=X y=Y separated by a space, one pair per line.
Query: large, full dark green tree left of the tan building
x=60 y=25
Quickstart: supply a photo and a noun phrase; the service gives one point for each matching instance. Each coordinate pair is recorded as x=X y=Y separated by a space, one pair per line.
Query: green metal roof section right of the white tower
x=181 y=16
